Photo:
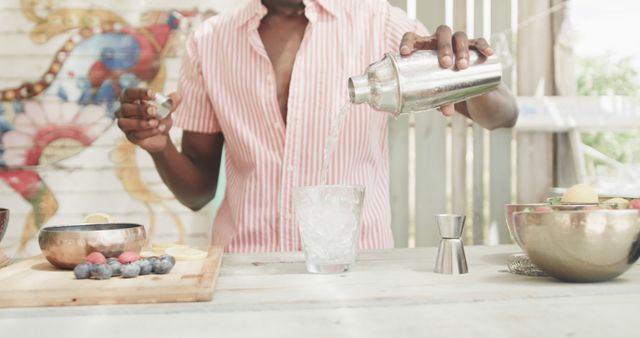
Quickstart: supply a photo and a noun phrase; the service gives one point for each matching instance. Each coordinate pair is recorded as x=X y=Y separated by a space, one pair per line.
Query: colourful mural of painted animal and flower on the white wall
x=64 y=111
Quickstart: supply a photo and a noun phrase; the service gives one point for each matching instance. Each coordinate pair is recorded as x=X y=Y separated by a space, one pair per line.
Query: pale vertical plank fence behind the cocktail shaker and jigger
x=431 y=144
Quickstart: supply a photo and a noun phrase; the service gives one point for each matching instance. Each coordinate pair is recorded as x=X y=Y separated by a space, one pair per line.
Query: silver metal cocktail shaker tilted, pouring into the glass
x=401 y=85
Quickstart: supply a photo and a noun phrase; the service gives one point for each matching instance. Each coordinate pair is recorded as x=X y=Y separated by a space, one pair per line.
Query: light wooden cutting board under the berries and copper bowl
x=35 y=282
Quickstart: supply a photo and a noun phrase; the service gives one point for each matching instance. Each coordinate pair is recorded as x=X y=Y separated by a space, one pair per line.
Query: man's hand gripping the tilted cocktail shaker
x=452 y=49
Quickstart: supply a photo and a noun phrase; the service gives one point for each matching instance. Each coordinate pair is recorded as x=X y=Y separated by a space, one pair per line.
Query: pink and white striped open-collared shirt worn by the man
x=228 y=85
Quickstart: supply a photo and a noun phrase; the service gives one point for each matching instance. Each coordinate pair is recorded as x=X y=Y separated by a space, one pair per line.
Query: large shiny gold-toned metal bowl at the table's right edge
x=580 y=246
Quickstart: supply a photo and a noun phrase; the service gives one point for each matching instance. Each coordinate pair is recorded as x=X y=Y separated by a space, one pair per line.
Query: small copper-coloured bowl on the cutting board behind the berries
x=67 y=246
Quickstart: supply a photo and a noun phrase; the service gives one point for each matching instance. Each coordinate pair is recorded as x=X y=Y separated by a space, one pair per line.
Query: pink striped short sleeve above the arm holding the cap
x=195 y=112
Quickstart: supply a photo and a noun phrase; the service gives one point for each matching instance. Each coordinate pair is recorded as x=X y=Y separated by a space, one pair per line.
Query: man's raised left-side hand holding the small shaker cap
x=138 y=120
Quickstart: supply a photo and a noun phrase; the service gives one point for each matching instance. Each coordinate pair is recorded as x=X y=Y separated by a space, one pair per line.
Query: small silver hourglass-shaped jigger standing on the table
x=451 y=259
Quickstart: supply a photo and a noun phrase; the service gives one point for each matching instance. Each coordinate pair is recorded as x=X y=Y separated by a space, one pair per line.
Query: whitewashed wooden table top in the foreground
x=390 y=293
